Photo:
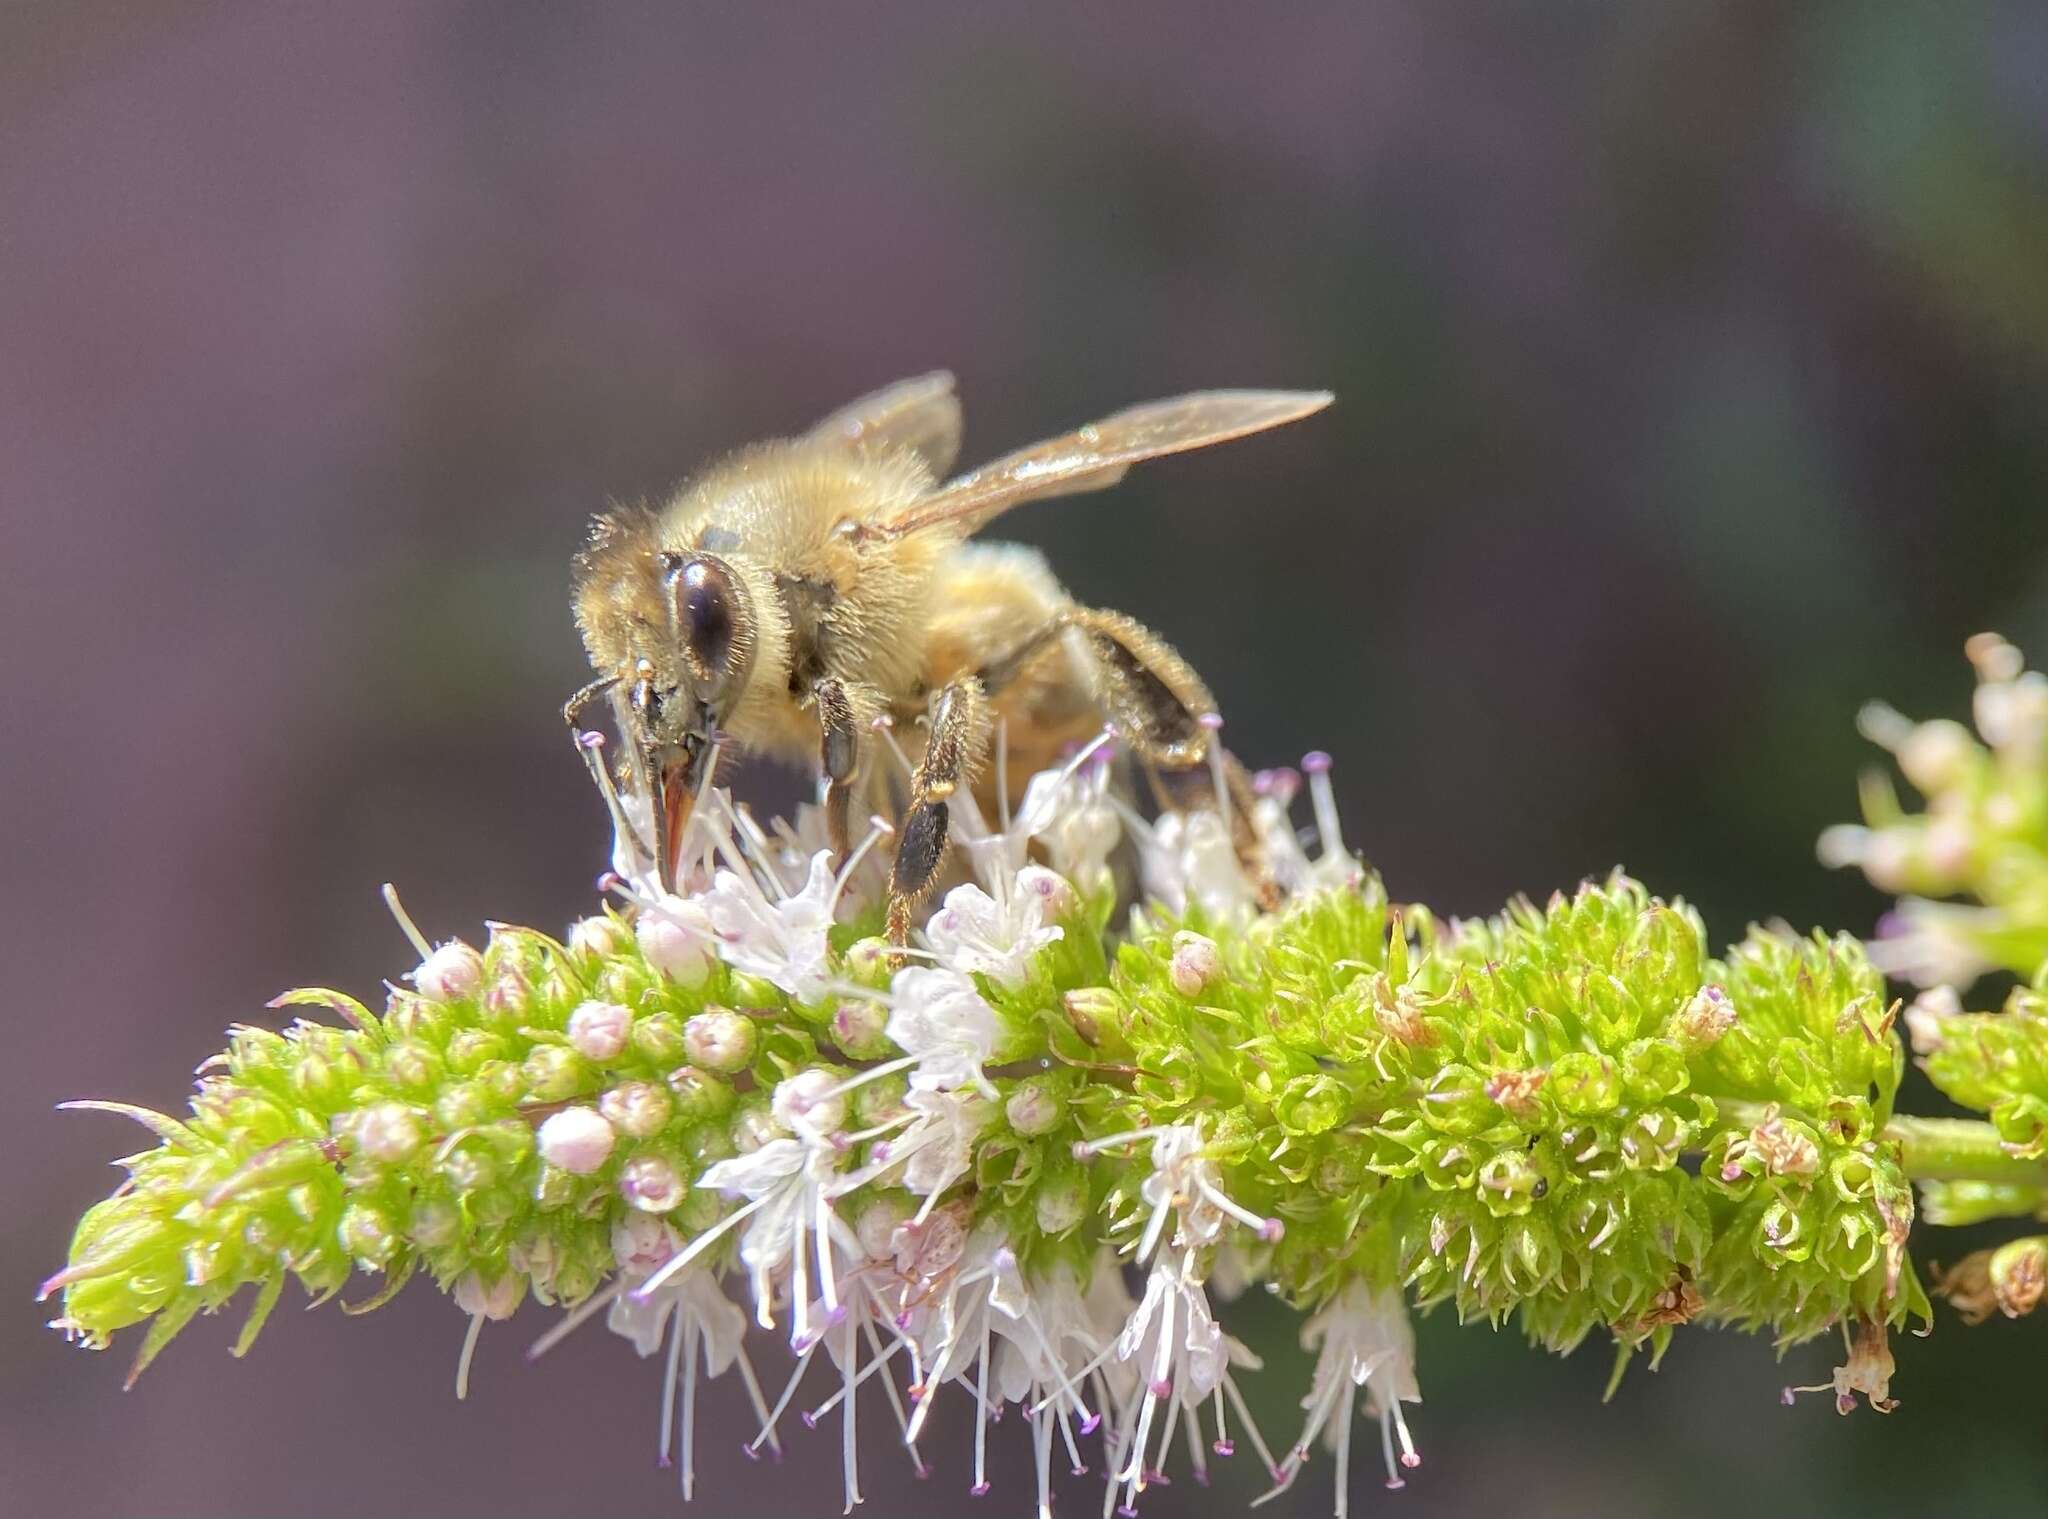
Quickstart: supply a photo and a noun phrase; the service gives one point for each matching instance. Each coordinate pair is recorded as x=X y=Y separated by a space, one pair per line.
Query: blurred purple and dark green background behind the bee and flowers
x=1693 y=372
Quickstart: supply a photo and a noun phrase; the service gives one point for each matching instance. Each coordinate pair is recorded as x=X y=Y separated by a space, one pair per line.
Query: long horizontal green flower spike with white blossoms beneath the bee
x=1031 y=1162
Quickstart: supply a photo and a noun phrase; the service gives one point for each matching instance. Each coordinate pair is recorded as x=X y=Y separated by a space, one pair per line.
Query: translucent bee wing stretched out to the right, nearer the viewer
x=1093 y=458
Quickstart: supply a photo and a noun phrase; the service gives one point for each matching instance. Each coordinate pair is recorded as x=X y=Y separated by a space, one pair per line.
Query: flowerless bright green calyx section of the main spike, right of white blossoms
x=1566 y=1113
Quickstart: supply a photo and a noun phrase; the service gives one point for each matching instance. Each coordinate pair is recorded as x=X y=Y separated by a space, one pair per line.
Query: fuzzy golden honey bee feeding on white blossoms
x=802 y=593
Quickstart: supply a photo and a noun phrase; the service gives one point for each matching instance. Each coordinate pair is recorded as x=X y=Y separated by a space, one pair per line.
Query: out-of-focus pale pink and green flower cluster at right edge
x=1983 y=834
